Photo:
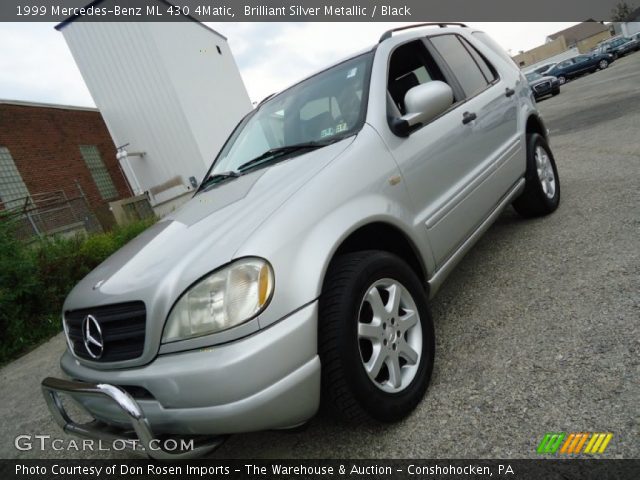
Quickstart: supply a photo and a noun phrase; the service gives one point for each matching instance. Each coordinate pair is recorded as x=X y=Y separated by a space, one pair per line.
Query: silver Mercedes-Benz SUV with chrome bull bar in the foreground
x=301 y=268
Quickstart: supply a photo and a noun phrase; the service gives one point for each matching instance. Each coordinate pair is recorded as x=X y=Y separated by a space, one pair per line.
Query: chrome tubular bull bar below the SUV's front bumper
x=52 y=388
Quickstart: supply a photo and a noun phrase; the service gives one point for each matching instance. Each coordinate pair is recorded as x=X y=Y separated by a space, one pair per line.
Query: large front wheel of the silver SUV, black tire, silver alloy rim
x=358 y=290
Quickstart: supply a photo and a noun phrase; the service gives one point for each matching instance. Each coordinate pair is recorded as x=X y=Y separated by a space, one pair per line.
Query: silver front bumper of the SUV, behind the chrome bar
x=268 y=380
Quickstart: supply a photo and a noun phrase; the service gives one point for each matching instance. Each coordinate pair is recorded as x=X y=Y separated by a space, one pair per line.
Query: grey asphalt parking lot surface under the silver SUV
x=538 y=329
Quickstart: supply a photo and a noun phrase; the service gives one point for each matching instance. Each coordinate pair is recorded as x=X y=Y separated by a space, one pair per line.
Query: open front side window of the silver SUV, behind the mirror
x=410 y=65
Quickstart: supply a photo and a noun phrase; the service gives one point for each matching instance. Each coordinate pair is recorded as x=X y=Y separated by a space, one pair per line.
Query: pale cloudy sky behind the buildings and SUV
x=36 y=65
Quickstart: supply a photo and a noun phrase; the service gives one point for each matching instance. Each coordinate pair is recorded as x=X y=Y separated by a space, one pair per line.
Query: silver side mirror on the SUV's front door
x=423 y=103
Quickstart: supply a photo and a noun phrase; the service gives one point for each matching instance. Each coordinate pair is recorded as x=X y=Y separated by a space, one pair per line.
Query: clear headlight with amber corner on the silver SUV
x=221 y=300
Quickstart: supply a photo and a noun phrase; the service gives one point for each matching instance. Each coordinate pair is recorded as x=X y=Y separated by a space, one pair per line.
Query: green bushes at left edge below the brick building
x=36 y=278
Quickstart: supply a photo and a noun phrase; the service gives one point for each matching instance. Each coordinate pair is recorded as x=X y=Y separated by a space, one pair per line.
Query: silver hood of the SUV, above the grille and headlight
x=199 y=237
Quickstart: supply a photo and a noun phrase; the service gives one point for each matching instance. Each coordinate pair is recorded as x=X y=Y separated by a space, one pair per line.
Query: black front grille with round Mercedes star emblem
x=122 y=326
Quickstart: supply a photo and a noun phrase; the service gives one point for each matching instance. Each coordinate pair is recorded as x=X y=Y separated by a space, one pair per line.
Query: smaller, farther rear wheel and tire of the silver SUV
x=541 y=194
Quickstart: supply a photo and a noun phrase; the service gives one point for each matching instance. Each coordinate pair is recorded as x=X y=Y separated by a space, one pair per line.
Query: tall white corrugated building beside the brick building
x=164 y=89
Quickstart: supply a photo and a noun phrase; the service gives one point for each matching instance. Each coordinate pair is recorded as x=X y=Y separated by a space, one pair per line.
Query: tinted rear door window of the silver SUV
x=461 y=63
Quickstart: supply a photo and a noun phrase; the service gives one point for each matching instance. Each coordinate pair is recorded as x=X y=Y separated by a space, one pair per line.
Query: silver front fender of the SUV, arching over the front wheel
x=302 y=236
